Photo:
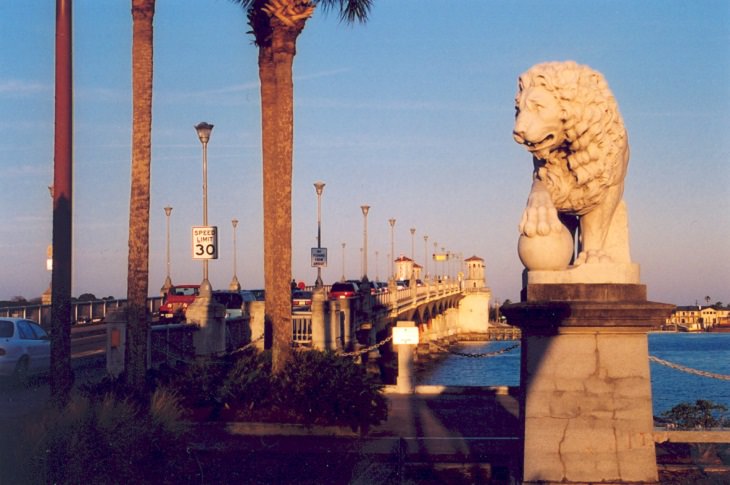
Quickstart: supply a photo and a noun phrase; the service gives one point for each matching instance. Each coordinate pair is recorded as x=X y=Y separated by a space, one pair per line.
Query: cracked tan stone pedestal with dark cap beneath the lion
x=586 y=406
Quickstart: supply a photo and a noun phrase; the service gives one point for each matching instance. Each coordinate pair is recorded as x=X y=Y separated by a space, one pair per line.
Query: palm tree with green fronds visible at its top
x=276 y=25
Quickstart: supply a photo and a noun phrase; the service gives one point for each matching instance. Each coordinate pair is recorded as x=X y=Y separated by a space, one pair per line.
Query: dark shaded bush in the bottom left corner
x=105 y=440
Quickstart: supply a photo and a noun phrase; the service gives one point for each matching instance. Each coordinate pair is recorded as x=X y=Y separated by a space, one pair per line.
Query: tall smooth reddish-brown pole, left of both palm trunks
x=61 y=377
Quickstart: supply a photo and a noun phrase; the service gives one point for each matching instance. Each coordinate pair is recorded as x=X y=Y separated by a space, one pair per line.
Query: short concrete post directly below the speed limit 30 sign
x=210 y=318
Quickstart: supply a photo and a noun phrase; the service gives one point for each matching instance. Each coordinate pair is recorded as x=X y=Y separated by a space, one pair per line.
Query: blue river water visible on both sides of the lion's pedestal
x=709 y=352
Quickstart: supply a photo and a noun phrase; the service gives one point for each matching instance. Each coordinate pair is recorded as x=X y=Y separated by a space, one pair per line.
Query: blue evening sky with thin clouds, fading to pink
x=411 y=114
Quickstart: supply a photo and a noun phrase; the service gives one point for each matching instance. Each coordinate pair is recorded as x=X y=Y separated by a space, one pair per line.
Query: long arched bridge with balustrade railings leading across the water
x=441 y=310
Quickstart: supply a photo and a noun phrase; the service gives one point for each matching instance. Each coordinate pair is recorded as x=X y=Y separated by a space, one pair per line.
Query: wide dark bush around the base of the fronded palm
x=314 y=388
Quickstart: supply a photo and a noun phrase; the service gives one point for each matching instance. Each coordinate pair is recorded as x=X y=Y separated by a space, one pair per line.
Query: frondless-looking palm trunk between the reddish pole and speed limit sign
x=143 y=12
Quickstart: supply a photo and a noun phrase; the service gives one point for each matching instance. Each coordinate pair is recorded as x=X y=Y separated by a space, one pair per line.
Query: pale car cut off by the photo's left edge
x=25 y=348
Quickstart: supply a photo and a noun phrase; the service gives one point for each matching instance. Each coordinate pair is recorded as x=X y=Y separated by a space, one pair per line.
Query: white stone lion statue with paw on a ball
x=568 y=119
